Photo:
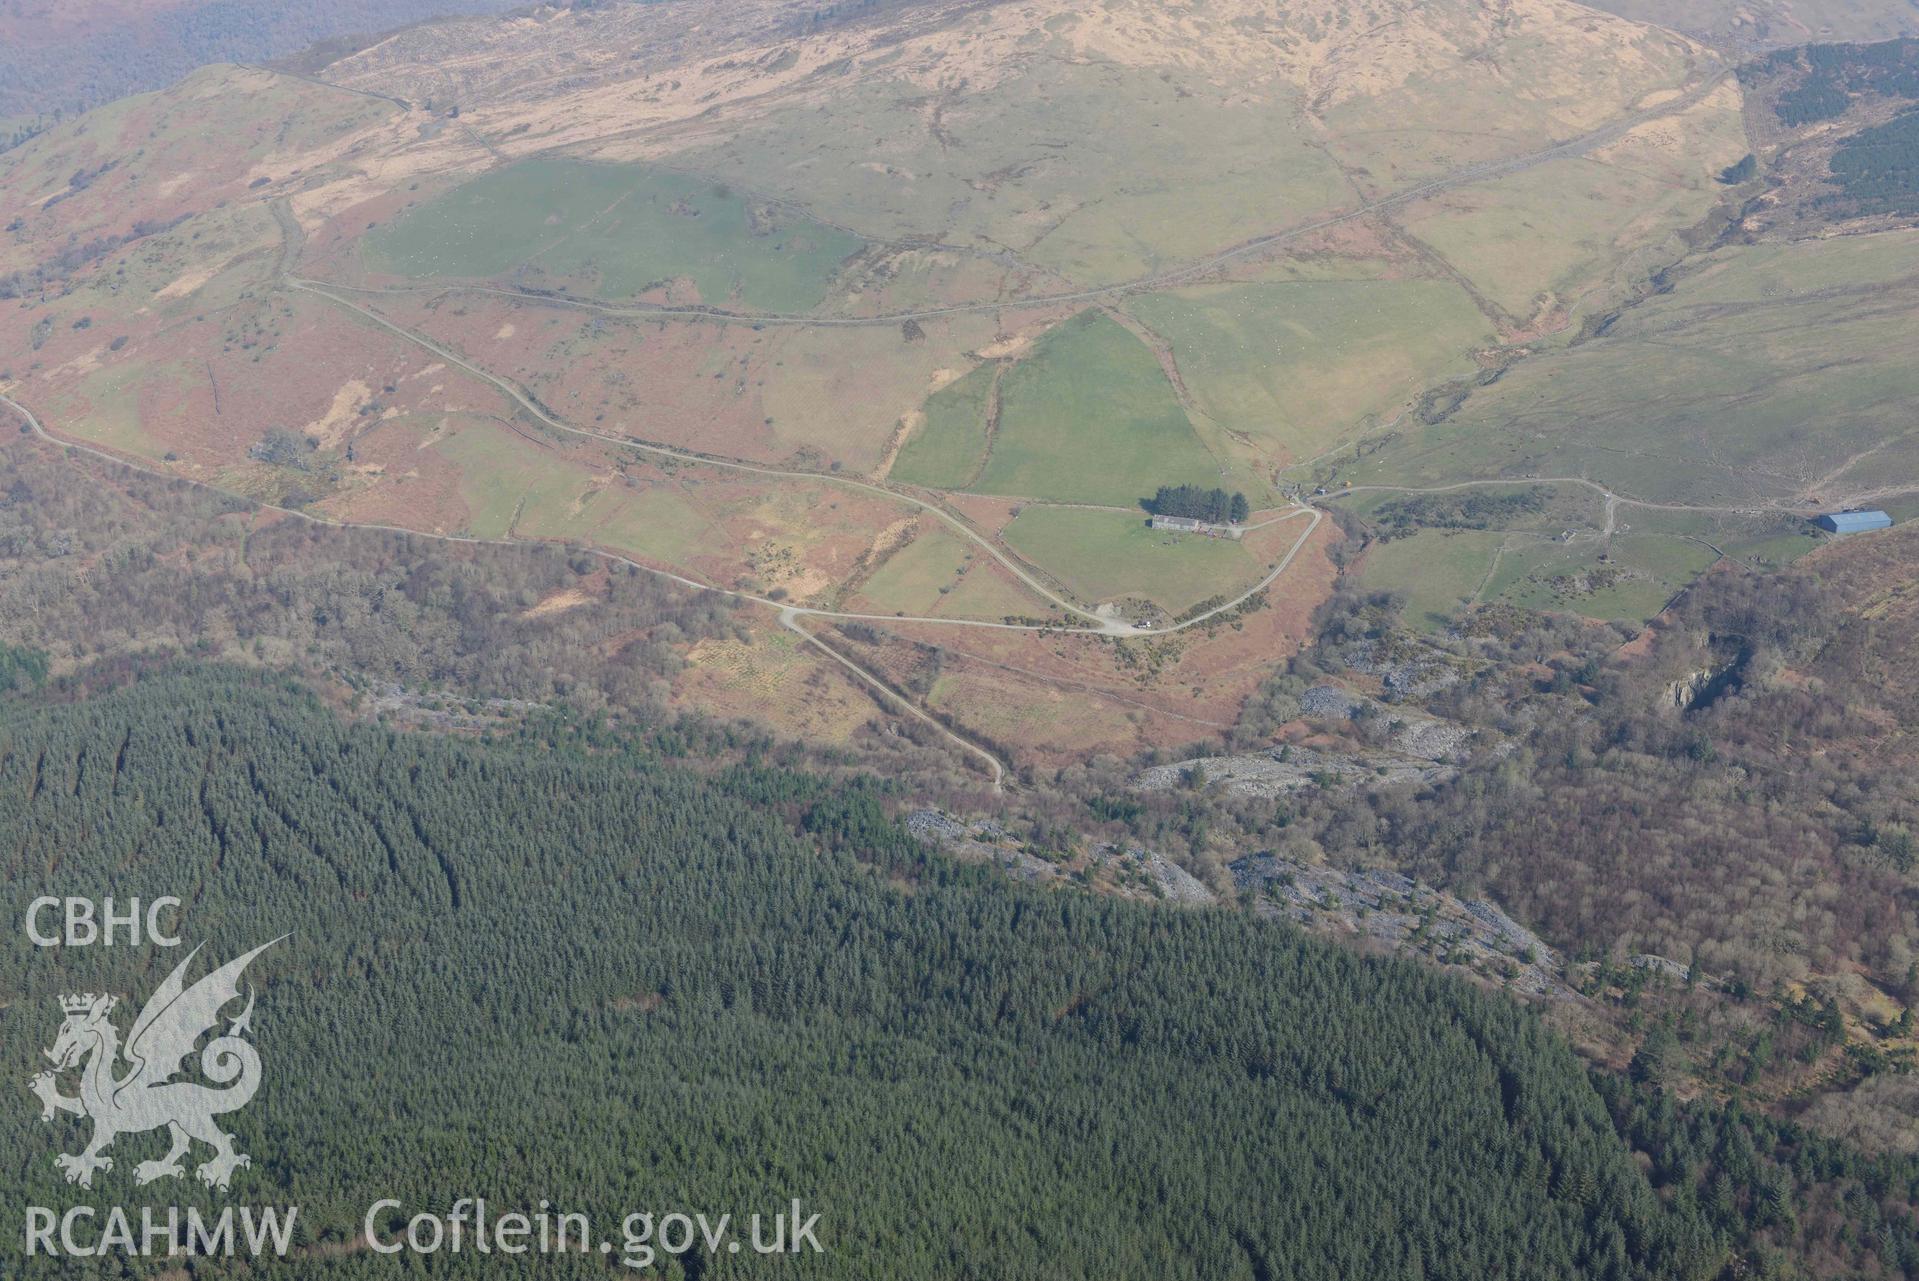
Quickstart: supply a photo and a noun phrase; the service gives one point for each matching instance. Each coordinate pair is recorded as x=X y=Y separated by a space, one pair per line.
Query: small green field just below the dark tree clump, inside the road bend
x=1110 y=555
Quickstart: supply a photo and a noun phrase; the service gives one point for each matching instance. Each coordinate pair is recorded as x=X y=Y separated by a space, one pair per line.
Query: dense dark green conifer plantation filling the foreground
x=598 y=977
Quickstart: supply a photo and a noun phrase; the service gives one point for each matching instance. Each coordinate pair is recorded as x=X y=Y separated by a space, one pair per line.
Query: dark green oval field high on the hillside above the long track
x=615 y=231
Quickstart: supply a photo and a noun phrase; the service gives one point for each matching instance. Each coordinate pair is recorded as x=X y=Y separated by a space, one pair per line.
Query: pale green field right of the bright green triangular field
x=1304 y=365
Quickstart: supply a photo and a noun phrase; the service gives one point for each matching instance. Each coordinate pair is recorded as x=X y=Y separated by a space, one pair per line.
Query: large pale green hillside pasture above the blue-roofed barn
x=1772 y=373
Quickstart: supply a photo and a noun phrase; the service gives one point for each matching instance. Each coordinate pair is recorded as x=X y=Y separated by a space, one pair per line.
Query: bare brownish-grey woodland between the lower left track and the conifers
x=105 y=561
